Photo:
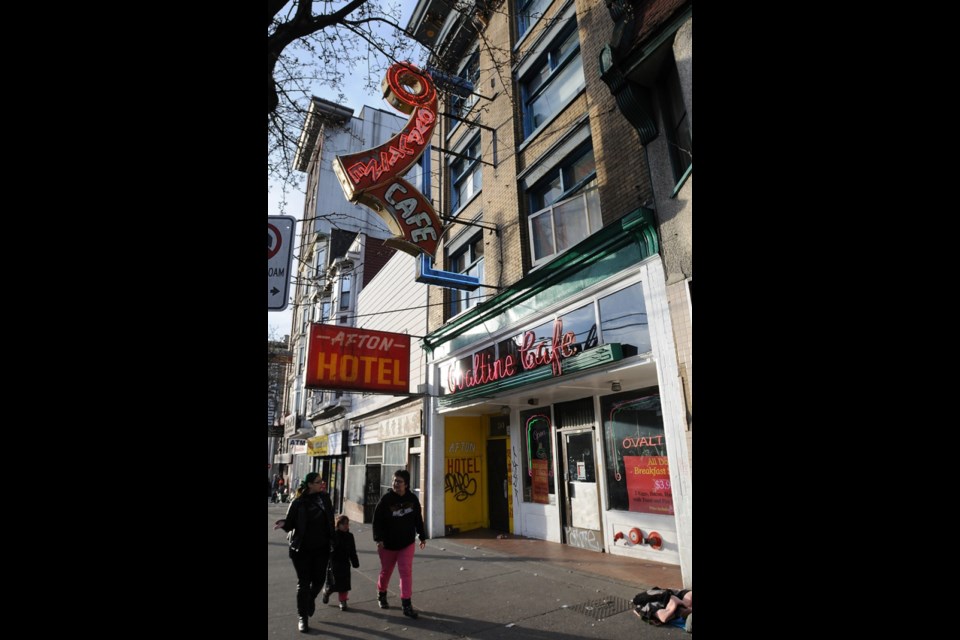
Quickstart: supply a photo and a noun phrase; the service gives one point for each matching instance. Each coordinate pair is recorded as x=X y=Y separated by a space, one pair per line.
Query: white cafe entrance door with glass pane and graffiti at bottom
x=581 y=493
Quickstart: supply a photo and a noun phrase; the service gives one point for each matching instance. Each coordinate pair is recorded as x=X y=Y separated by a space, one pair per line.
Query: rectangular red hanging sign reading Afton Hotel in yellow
x=357 y=359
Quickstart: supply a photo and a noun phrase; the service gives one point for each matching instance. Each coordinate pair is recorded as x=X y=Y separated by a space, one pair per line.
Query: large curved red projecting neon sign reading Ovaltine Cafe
x=372 y=177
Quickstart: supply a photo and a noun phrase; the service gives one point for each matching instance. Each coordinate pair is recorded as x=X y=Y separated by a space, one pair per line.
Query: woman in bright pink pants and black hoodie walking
x=397 y=522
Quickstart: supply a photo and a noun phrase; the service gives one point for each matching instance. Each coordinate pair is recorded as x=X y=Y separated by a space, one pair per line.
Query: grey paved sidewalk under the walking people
x=478 y=587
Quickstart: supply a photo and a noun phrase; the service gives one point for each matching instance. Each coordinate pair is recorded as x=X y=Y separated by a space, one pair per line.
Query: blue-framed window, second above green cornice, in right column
x=553 y=81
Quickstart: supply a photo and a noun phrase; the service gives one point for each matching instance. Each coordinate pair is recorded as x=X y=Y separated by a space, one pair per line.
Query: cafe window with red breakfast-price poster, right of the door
x=638 y=474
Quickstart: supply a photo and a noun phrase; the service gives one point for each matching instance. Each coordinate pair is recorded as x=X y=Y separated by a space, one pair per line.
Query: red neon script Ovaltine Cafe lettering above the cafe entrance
x=531 y=356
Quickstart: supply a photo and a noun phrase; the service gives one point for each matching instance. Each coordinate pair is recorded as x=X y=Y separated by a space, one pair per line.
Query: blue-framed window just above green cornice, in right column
x=566 y=205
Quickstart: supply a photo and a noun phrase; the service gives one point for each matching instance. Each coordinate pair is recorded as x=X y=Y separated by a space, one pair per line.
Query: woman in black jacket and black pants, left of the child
x=310 y=518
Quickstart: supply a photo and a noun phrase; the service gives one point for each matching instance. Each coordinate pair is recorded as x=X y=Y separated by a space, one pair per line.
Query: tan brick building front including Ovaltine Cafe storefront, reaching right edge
x=572 y=160
